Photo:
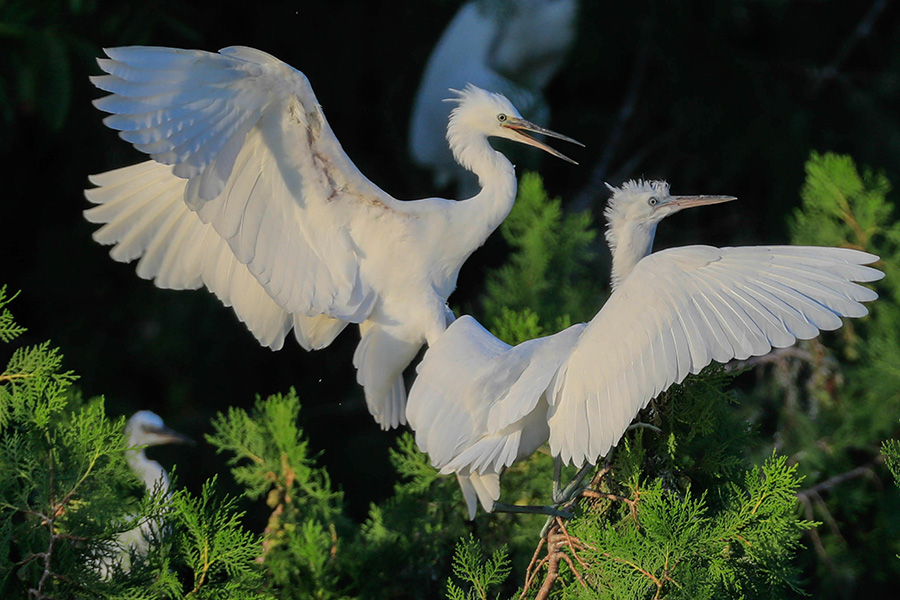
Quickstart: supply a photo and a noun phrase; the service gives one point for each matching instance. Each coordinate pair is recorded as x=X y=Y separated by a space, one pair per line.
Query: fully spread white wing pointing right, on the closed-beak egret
x=679 y=310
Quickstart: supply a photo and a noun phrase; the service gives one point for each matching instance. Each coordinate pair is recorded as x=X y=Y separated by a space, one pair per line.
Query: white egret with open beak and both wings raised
x=250 y=194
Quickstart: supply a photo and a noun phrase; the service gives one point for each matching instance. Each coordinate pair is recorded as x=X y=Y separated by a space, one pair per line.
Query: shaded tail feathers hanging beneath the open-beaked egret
x=380 y=360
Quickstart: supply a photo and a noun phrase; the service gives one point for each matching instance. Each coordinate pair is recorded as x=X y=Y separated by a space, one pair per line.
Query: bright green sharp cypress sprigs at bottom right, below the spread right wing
x=665 y=543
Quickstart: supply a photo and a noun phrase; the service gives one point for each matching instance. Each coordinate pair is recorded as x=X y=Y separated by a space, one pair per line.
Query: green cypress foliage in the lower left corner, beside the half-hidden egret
x=66 y=493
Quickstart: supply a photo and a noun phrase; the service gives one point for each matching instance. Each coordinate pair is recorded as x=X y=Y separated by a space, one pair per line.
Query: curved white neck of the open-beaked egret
x=484 y=212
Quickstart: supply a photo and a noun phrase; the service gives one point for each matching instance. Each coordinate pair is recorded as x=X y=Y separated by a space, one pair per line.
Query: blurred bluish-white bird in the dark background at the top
x=514 y=47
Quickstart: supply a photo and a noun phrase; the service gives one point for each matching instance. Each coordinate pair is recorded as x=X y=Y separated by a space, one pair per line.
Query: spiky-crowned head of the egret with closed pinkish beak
x=648 y=202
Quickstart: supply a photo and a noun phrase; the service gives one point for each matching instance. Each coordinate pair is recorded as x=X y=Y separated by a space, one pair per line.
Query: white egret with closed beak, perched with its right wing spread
x=477 y=404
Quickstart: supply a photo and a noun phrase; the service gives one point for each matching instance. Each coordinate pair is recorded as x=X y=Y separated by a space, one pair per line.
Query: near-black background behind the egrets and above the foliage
x=727 y=97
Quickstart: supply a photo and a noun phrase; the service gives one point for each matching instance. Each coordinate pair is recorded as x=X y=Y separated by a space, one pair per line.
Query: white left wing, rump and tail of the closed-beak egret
x=476 y=405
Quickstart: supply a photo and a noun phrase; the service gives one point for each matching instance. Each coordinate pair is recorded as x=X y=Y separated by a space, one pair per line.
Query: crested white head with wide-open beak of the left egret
x=489 y=114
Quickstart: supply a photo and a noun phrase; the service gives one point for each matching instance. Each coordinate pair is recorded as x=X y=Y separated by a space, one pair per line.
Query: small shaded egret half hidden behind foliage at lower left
x=144 y=428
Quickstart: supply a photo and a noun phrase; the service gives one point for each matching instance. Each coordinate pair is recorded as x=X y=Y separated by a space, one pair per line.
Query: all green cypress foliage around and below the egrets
x=698 y=500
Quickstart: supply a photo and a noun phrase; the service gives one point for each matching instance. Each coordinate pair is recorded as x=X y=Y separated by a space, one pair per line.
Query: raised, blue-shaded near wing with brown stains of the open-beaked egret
x=262 y=168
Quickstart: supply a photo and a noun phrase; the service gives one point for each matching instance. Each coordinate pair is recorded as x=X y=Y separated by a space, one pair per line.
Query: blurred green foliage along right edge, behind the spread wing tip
x=826 y=401
